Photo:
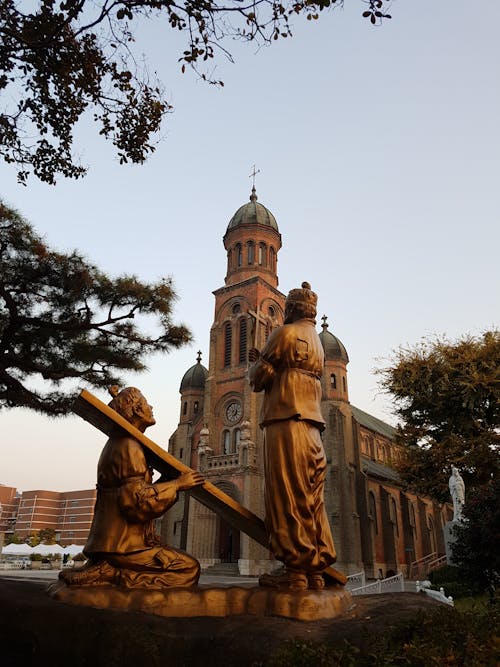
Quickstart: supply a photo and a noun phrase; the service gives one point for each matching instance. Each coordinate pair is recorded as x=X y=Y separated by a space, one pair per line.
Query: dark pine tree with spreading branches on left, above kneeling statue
x=61 y=318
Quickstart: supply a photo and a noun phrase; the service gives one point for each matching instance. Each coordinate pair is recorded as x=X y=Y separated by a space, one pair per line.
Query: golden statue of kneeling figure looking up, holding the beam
x=123 y=547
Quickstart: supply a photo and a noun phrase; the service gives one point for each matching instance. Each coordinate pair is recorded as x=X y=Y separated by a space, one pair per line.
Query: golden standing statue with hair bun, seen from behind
x=289 y=369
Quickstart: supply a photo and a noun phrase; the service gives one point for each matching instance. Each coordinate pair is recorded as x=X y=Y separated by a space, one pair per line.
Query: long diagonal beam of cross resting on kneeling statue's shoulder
x=107 y=420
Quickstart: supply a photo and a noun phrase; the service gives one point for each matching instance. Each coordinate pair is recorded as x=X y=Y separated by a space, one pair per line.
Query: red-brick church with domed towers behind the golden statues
x=377 y=526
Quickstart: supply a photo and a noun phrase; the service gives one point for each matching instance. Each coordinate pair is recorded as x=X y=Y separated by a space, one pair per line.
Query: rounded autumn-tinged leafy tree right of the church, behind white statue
x=447 y=395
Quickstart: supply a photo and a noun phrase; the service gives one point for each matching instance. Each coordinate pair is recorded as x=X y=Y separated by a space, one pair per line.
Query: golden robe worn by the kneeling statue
x=122 y=532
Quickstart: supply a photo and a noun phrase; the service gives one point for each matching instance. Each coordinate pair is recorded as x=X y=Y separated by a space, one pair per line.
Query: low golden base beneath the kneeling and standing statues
x=207 y=601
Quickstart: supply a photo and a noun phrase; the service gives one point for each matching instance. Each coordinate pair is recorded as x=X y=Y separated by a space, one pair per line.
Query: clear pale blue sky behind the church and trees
x=379 y=155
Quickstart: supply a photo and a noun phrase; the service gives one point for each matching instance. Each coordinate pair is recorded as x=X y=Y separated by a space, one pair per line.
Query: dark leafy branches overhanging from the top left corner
x=59 y=58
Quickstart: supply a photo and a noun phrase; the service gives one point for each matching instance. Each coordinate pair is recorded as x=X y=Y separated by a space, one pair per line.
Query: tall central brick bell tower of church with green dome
x=247 y=308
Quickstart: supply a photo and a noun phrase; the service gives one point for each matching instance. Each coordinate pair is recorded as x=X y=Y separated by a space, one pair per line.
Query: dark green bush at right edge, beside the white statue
x=477 y=546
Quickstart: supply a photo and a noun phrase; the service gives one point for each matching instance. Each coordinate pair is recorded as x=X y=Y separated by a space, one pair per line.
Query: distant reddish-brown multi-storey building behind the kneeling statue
x=68 y=513
